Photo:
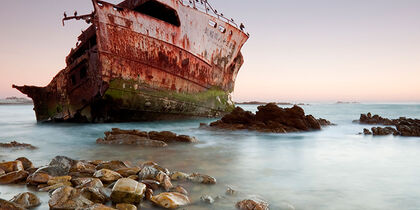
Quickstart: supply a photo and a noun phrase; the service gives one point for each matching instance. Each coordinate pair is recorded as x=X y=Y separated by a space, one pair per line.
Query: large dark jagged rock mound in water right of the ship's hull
x=269 y=118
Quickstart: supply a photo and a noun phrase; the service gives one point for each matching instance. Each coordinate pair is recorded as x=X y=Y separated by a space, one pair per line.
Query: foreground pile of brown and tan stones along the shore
x=103 y=185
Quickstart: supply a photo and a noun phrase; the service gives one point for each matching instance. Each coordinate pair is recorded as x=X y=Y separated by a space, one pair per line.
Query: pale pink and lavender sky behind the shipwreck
x=299 y=50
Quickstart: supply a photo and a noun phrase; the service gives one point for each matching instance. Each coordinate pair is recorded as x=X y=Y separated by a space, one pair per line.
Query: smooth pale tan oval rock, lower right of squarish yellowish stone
x=170 y=200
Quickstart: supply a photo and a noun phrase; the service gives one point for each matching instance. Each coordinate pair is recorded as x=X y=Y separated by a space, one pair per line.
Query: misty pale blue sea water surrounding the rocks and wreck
x=332 y=169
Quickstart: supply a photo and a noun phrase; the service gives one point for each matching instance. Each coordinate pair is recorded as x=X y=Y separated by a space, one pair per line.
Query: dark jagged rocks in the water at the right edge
x=403 y=126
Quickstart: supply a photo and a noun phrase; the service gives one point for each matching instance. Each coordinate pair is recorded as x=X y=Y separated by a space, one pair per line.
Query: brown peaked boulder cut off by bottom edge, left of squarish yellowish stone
x=68 y=198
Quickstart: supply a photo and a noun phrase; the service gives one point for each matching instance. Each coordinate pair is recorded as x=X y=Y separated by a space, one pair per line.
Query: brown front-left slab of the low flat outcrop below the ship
x=127 y=139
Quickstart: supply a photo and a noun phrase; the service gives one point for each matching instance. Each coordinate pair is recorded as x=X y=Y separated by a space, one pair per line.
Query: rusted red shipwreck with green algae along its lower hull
x=145 y=60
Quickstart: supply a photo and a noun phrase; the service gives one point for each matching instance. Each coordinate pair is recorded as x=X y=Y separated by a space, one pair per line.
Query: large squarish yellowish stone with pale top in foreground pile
x=128 y=191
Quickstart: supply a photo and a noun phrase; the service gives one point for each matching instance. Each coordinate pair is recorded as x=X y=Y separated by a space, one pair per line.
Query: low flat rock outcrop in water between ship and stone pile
x=143 y=138
